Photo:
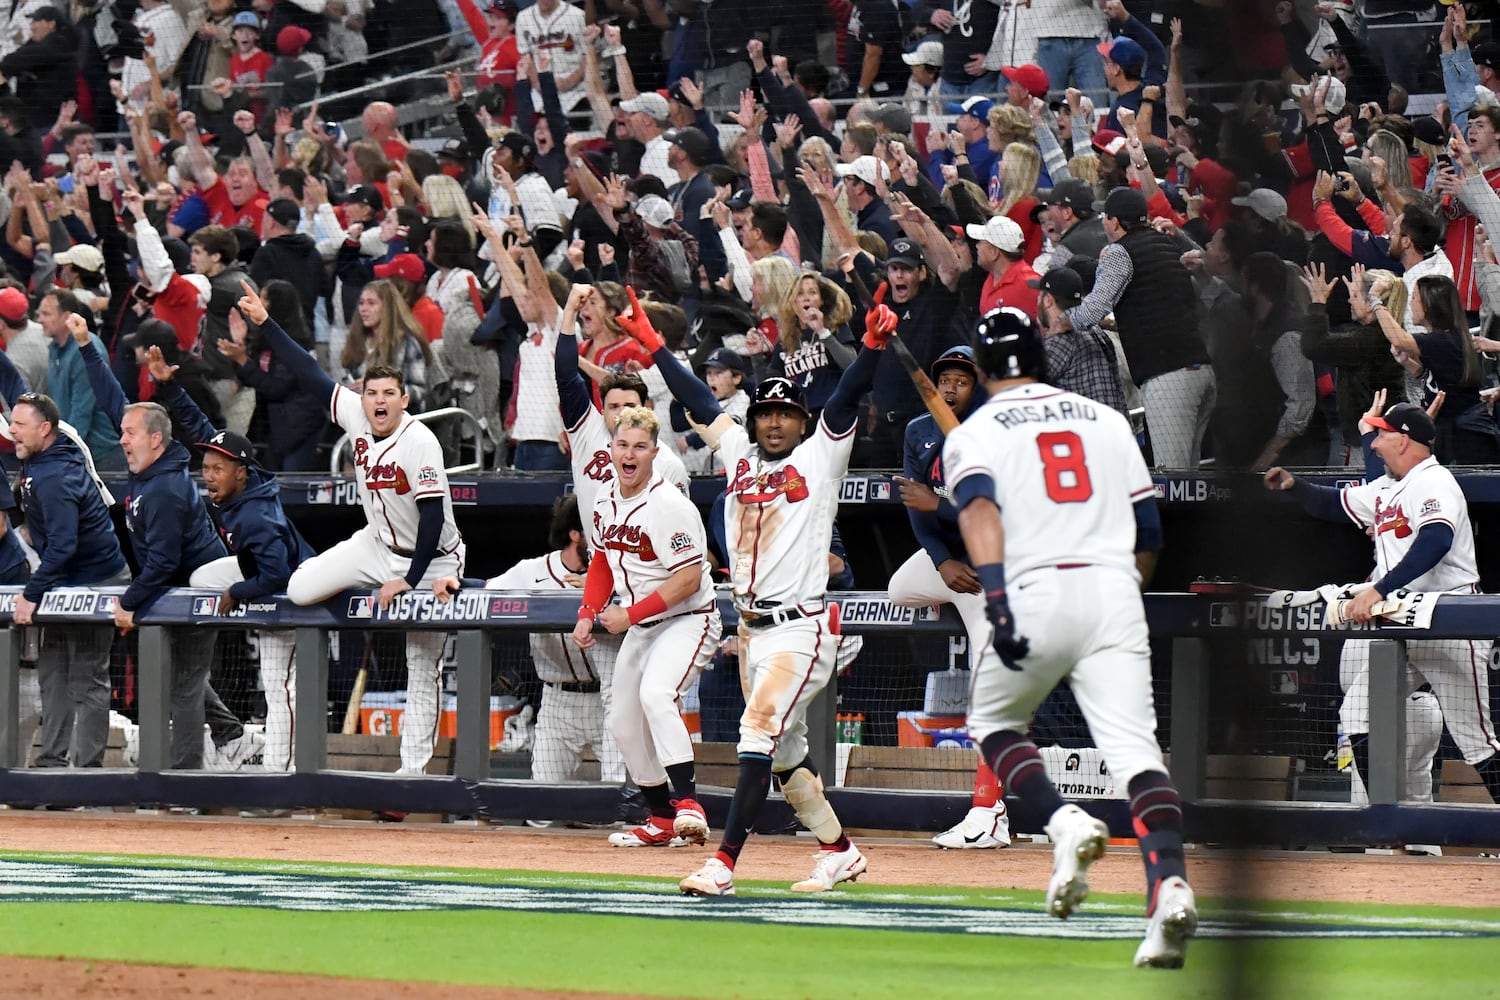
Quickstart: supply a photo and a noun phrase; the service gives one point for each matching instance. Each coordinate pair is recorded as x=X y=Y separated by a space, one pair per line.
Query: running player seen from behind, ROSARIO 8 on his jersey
x=1057 y=507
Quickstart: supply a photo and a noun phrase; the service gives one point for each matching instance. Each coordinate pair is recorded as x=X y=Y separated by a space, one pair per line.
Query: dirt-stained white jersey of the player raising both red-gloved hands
x=779 y=516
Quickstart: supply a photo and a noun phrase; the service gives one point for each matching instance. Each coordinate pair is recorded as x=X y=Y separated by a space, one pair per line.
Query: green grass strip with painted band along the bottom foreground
x=634 y=935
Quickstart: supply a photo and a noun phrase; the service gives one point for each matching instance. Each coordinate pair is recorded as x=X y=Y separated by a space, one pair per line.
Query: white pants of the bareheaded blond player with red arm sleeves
x=655 y=666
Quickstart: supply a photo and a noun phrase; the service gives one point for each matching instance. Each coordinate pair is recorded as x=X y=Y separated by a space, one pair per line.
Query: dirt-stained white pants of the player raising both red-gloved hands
x=782 y=669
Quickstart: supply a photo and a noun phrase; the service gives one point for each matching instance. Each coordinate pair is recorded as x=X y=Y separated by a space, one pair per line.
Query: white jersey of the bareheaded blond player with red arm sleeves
x=647 y=539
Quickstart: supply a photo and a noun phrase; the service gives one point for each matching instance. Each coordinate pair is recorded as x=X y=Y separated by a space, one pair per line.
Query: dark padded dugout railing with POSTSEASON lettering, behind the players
x=1247 y=708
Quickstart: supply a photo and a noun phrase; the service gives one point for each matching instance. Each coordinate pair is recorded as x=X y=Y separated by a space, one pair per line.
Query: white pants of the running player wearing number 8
x=1087 y=626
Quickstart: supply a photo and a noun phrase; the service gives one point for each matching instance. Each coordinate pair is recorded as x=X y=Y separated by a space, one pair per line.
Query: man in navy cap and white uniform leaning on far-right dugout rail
x=1424 y=543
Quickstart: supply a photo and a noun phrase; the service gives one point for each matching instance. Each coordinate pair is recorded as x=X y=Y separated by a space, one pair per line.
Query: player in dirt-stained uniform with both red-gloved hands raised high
x=781 y=504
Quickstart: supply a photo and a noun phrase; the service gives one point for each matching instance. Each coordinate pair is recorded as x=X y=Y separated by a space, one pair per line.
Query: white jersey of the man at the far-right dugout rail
x=1400 y=509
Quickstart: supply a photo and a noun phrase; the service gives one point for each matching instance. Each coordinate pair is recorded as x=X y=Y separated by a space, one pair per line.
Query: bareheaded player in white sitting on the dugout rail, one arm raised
x=410 y=537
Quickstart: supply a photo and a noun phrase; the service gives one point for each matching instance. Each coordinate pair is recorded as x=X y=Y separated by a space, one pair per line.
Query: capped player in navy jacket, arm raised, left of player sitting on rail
x=245 y=504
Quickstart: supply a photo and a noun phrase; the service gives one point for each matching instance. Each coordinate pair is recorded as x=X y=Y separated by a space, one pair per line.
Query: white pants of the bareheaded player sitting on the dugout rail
x=362 y=561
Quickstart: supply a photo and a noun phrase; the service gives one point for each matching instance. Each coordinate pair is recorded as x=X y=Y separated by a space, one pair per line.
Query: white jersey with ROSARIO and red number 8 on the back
x=1067 y=475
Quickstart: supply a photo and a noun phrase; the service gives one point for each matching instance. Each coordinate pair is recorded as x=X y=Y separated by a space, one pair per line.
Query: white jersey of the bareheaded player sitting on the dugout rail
x=395 y=473
